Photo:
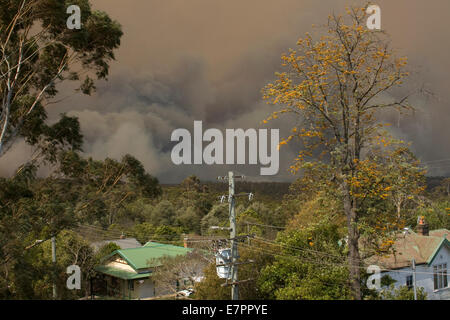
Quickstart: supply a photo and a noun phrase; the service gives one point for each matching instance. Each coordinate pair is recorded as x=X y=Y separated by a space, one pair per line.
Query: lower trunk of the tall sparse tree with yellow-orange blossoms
x=353 y=237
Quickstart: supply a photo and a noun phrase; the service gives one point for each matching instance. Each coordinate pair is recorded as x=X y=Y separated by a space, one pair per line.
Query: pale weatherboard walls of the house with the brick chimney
x=424 y=276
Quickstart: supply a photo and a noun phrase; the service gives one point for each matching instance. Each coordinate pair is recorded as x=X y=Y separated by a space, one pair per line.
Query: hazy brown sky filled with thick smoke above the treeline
x=186 y=60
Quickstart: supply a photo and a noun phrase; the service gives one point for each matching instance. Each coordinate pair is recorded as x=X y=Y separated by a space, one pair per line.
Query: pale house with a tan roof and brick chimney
x=431 y=252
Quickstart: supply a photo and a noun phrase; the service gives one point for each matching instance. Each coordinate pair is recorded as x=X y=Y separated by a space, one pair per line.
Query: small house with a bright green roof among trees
x=127 y=273
